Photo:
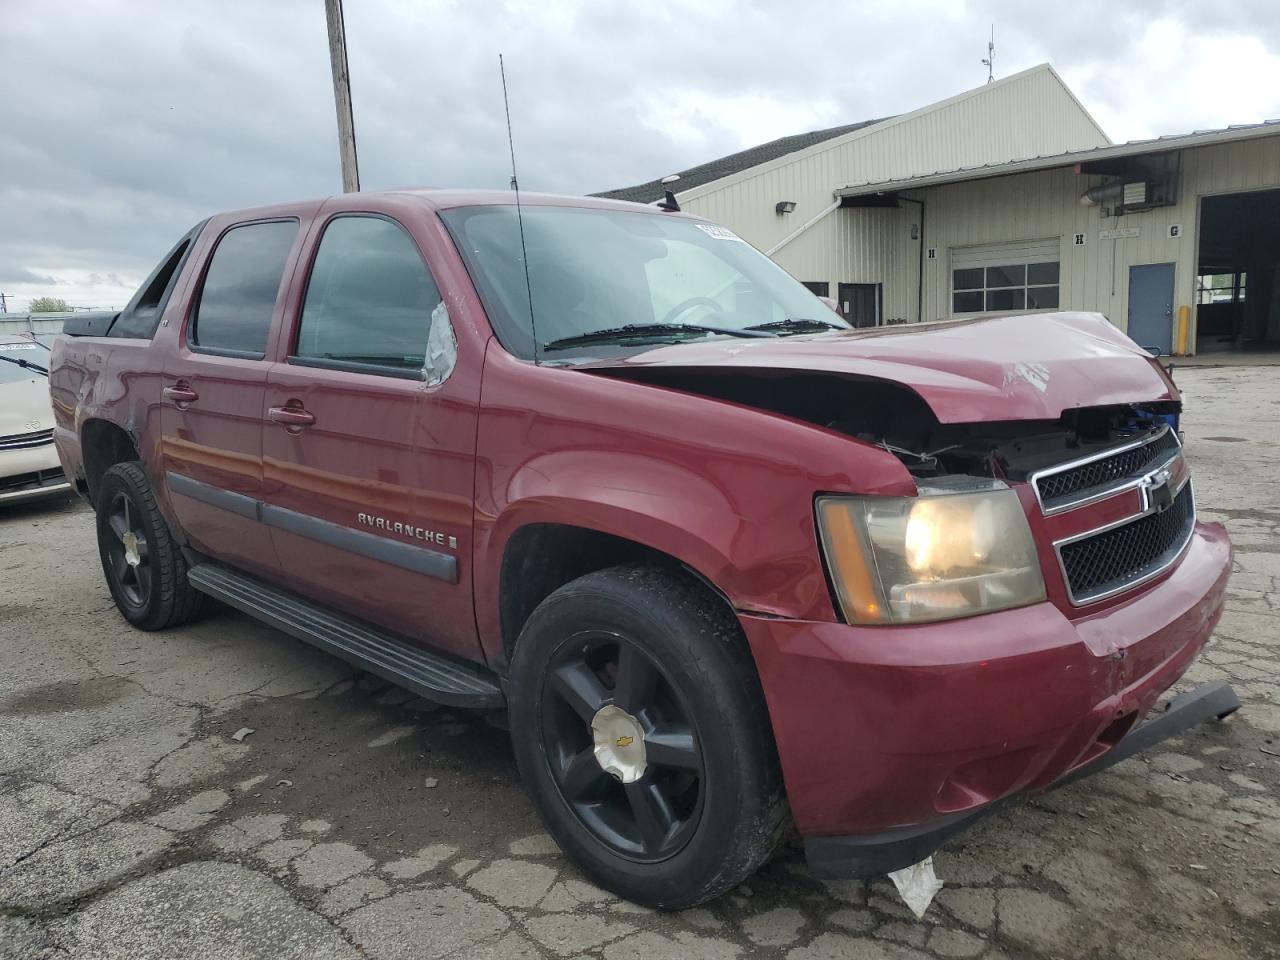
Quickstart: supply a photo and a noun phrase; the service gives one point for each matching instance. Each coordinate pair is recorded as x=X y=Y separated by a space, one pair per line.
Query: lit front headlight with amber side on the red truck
x=963 y=547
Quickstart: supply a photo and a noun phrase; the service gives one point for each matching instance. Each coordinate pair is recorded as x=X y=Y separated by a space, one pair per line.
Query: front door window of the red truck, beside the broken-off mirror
x=371 y=299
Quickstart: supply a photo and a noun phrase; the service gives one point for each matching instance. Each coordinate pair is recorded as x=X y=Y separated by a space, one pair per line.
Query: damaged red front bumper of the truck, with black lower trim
x=894 y=739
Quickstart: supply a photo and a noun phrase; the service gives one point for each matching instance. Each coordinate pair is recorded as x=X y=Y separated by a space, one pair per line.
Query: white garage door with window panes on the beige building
x=1002 y=278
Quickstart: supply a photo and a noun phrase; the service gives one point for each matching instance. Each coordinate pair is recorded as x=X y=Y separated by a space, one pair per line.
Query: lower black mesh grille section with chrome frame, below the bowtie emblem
x=1114 y=560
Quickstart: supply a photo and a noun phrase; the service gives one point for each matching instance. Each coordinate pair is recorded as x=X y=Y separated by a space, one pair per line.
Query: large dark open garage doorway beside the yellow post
x=1238 y=273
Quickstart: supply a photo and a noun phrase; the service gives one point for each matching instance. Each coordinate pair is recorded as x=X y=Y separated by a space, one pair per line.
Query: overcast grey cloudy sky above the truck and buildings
x=125 y=124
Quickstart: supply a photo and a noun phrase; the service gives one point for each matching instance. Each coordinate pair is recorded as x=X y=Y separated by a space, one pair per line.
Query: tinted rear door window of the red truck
x=241 y=286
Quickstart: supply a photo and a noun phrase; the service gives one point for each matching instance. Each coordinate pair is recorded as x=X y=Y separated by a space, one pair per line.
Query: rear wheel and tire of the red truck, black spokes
x=144 y=568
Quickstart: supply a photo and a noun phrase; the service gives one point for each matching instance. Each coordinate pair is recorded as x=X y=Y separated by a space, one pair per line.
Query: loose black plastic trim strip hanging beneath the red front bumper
x=876 y=854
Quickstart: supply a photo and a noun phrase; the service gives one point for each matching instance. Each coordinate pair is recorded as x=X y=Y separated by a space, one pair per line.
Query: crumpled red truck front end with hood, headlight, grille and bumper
x=1014 y=624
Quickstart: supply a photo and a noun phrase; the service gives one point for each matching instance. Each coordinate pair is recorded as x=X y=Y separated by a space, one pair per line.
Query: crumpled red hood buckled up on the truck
x=1032 y=367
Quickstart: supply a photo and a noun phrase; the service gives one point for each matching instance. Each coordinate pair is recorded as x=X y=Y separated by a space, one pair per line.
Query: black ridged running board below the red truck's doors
x=429 y=675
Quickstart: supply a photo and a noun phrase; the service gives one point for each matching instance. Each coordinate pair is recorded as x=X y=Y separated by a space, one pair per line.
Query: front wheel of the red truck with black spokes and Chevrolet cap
x=642 y=734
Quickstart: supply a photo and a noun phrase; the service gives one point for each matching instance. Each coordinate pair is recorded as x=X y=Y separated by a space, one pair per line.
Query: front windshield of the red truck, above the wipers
x=596 y=269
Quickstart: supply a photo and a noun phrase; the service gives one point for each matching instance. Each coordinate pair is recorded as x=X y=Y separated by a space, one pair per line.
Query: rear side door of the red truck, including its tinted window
x=213 y=395
